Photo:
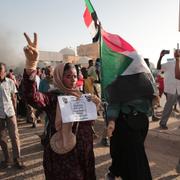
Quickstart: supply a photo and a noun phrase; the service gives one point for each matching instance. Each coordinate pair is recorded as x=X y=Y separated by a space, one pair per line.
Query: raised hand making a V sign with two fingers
x=31 y=52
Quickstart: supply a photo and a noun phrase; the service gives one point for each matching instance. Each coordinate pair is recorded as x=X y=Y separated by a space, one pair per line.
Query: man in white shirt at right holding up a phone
x=171 y=88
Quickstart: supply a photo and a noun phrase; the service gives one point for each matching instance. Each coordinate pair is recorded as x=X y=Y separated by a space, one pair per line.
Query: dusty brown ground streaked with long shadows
x=163 y=149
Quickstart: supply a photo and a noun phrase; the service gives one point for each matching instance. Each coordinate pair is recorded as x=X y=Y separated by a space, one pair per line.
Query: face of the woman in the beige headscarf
x=70 y=78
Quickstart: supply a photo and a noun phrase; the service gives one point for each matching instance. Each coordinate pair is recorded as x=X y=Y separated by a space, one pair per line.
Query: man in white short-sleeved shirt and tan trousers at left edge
x=8 y=120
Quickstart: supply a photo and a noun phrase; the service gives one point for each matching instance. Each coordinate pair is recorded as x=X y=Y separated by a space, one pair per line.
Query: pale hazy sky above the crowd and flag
x=148 y=25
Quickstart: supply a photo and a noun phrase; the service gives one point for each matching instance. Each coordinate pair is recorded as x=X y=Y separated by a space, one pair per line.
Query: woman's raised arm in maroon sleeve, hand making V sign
x=30 y=92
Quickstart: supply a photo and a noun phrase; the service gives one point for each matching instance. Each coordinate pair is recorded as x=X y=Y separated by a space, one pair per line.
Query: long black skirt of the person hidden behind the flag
x=129 y=160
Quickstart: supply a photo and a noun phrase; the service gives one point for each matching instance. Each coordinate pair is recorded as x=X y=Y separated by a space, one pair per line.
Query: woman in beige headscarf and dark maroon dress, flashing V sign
x=68 y=152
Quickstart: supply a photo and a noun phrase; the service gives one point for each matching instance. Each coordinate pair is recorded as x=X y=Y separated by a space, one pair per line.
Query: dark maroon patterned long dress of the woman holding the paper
x=78 y=164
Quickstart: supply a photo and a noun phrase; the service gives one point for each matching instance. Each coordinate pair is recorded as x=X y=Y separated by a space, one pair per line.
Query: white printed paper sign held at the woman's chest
x=73 y=110
